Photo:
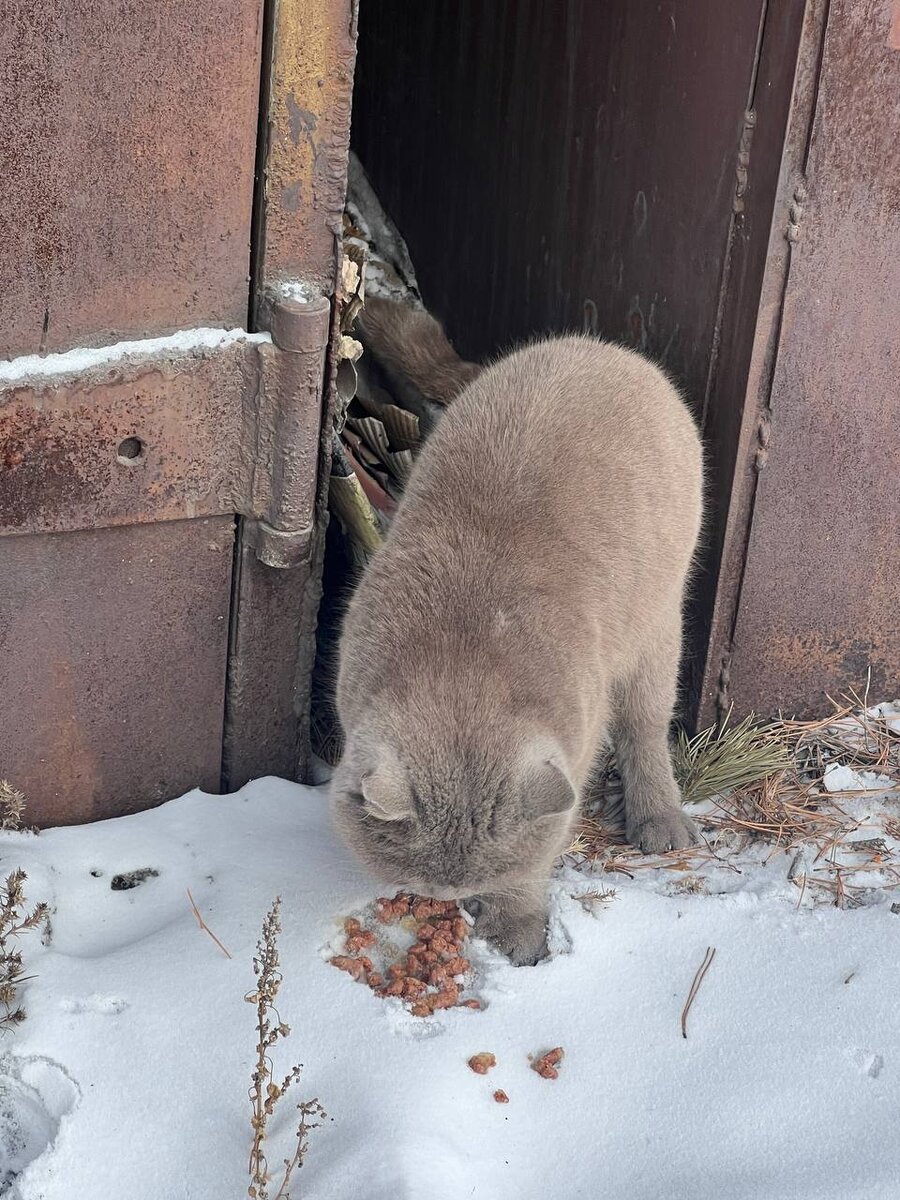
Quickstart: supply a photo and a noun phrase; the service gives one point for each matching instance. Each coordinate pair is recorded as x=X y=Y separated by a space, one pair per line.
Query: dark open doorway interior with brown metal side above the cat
x=609 y=167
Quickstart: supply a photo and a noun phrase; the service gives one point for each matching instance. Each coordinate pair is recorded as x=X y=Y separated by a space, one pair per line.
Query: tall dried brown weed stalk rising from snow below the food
x=265 y=1093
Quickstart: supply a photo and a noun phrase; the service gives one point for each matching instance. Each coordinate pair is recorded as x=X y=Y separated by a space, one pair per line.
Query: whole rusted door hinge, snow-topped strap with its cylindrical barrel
x=202 y=423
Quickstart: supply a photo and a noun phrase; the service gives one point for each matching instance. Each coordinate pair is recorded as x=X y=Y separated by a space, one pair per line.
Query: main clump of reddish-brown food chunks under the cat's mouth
x=430 y=976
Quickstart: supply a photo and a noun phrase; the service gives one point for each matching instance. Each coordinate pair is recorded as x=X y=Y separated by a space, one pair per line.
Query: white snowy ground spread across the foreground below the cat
x=130 y=1076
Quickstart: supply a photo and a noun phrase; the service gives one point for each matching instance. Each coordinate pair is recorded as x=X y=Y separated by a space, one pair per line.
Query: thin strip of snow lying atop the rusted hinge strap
x=33 y=368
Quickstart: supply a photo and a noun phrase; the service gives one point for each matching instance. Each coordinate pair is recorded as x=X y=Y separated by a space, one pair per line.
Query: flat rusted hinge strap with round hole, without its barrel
x=146 y=437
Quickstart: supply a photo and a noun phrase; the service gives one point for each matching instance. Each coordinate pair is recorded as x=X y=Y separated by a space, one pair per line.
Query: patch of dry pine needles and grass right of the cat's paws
x=764 y=790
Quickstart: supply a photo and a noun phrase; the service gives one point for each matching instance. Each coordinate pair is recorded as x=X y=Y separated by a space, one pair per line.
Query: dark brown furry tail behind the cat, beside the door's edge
x=415 y=351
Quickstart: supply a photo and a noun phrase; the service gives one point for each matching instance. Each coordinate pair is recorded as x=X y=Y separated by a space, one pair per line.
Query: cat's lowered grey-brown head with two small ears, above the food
x=454 y=821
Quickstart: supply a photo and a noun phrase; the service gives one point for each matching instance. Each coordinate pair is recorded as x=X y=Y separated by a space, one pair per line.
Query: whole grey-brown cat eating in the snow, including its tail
x=524 y=613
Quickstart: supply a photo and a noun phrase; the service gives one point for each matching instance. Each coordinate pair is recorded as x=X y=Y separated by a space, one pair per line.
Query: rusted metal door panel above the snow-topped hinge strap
x=128 y=152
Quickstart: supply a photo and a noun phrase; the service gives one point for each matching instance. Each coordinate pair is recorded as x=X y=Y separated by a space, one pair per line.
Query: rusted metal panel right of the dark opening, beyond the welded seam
x=820 y=603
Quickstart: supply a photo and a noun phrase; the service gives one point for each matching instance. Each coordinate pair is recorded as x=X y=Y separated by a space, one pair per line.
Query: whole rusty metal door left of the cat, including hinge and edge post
x=161 y=479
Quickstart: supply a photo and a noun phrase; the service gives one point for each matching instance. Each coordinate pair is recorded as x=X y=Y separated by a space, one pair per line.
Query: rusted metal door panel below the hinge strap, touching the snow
x=113 y=651
